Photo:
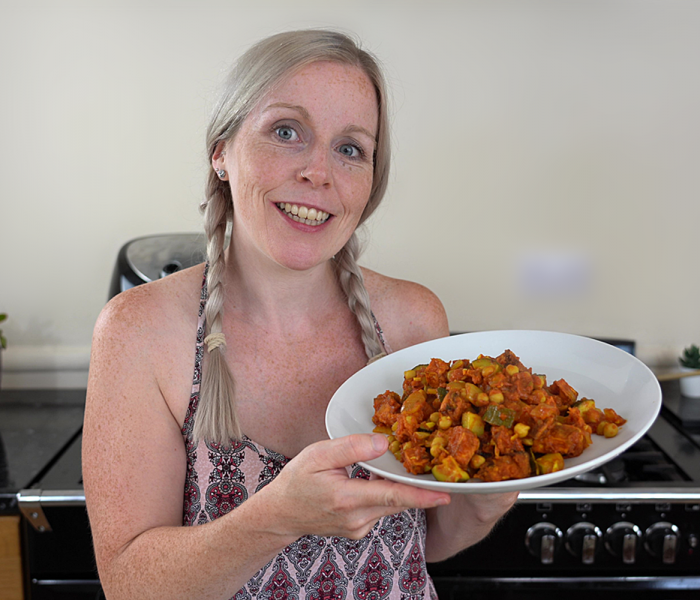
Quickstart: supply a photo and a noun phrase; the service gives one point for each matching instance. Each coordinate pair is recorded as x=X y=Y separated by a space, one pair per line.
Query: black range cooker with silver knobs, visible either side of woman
x=629 y=529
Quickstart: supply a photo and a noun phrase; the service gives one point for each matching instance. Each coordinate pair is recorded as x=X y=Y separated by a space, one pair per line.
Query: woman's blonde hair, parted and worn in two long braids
x=263 y=66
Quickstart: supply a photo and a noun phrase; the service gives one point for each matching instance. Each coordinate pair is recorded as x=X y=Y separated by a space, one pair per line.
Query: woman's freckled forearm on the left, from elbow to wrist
x=209 y=562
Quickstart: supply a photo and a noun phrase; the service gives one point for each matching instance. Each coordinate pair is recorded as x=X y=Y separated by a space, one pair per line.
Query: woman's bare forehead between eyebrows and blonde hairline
x=327 y=90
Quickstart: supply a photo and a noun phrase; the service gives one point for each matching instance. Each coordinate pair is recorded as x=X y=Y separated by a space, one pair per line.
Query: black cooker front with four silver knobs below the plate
x=514 y=562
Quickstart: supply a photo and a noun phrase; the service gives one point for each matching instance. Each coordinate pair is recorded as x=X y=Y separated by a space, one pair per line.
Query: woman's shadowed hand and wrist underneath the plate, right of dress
x=463 y=523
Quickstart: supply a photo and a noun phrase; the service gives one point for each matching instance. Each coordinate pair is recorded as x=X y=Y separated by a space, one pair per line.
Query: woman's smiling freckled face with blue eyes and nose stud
x=301 y=166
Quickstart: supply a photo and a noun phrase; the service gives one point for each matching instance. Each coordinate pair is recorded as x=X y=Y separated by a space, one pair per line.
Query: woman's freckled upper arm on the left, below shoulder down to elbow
x=134 y=460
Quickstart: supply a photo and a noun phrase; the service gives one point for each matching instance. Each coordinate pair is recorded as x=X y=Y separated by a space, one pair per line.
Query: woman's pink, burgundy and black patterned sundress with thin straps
x=388 y=563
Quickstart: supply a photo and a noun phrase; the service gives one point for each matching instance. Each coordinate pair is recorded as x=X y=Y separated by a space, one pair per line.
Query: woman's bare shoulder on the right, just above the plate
x=408 y=312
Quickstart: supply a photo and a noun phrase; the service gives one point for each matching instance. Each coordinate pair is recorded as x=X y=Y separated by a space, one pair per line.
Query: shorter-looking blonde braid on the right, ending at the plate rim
x=353 y=284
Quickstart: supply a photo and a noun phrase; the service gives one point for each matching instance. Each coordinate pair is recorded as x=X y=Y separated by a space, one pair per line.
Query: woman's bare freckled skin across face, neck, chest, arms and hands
x=291 y=341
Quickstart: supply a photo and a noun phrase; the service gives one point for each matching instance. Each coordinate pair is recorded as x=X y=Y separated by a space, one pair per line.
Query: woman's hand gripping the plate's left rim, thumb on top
x=314 y=495
